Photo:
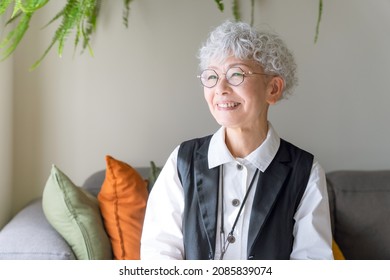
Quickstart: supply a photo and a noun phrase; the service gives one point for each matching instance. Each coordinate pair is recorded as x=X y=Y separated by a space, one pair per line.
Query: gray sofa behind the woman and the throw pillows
x=359 y=203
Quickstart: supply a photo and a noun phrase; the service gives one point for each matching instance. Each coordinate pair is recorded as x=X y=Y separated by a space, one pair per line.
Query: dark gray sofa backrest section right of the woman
x=359 y=204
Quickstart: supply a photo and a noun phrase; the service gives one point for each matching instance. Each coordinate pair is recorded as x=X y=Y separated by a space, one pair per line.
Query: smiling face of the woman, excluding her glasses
x=245 y=105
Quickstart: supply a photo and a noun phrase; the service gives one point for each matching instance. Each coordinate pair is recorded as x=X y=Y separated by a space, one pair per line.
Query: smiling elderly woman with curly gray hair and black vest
x=243 y=192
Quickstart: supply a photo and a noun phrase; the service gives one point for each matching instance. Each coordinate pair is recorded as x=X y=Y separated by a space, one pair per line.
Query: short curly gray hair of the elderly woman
x=244 y=42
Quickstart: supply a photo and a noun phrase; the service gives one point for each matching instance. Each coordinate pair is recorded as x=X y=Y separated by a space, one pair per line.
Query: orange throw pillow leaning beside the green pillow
x=122 y=201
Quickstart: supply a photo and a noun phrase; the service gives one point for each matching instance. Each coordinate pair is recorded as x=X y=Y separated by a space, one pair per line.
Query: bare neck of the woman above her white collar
x=241 y=142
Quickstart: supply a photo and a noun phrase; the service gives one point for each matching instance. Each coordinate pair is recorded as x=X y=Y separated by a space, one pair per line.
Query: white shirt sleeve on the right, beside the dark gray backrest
x=312 y=229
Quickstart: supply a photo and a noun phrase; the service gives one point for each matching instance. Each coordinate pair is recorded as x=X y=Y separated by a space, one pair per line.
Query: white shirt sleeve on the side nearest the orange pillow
x=162 y=236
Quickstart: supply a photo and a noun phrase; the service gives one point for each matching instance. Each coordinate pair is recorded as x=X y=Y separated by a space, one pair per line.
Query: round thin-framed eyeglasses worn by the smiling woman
x=234 y=76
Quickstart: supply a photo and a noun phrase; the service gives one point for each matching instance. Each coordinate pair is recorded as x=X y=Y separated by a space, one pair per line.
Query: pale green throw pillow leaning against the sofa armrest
x=75 y=214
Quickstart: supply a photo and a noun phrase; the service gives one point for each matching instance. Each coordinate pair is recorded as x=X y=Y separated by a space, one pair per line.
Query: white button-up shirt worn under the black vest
x=162 y=236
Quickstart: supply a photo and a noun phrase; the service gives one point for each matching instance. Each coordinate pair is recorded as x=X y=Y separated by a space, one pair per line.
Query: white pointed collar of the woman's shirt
x=261 y=157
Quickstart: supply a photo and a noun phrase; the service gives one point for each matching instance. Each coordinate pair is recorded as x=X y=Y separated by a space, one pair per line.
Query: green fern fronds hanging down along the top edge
x=78 y=17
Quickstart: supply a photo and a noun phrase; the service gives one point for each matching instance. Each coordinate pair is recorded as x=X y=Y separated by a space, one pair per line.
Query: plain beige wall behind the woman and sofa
x=139 y=96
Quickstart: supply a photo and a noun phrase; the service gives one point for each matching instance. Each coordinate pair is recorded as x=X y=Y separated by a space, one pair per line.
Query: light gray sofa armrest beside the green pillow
x=29 y=236
